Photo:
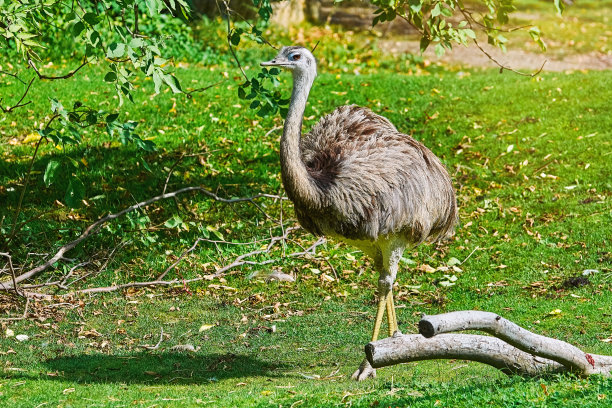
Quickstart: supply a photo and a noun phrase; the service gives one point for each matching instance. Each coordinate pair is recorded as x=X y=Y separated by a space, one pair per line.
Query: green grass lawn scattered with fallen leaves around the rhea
x=531 y=164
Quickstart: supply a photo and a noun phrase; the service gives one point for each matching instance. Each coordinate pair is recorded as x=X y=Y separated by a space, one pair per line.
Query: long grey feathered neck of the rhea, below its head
x=298 y=183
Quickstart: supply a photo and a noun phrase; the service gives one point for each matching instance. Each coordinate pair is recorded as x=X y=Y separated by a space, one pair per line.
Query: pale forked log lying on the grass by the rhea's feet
x=513 y=350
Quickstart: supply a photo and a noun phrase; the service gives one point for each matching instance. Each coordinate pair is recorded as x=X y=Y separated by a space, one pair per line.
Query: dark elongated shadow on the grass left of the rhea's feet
x=160 y=368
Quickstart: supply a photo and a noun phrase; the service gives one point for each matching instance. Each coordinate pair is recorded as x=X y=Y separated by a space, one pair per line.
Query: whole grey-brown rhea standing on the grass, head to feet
x=356 y=178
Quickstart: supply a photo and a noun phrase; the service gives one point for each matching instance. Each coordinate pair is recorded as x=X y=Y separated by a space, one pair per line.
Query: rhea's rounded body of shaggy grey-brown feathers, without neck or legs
x=374 y=181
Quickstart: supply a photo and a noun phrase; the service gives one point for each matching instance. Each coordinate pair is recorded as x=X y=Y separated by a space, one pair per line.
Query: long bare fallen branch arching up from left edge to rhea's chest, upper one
x=95 y=227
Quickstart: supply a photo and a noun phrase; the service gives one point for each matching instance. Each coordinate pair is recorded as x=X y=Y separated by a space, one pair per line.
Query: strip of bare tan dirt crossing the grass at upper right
x=514 y=58
